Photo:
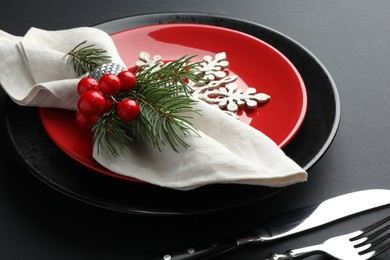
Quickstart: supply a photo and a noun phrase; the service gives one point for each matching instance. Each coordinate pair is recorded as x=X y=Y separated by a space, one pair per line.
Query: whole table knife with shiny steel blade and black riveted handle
x=287 y=224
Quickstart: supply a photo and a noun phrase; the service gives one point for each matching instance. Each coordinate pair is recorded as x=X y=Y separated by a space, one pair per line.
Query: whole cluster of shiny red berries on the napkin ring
x=97 y=98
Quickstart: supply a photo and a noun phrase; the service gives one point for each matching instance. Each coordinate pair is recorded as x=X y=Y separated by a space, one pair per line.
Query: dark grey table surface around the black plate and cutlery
x=350 y=37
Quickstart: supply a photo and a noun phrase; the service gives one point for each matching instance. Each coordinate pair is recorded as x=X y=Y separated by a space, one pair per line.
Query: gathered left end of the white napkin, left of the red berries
x=33 y=70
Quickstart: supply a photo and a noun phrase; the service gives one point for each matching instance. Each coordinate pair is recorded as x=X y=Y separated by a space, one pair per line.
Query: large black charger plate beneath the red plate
x=50 y=164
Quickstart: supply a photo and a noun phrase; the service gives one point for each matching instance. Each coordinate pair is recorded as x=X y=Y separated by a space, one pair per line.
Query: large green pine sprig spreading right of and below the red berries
x=166 y=109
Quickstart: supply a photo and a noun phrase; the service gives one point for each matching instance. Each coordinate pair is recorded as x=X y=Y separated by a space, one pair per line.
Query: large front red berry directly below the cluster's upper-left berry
x=91 y=102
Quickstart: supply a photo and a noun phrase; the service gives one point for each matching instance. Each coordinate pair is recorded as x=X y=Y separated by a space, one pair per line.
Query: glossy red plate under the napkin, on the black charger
x=256 y=63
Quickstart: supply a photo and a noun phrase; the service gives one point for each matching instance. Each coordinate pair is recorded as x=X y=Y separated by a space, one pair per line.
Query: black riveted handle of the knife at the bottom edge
x=201 y=251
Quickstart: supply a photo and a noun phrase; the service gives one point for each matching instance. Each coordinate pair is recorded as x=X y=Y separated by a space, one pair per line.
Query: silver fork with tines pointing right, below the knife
x=359 y=245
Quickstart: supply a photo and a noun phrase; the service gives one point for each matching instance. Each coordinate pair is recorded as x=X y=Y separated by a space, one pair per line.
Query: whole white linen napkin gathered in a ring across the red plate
x=33 y=72
